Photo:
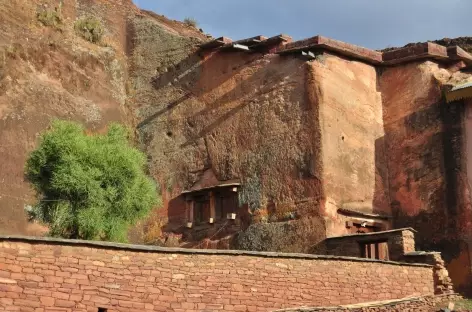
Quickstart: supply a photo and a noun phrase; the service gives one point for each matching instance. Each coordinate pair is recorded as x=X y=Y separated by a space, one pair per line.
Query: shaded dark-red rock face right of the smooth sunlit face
x=411 y=99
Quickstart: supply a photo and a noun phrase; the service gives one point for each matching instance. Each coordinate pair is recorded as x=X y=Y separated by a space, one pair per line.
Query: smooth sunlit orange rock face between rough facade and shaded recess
x=352 y=160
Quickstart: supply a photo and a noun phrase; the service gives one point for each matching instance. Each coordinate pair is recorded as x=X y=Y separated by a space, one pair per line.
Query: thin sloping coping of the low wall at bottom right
x=369 y=304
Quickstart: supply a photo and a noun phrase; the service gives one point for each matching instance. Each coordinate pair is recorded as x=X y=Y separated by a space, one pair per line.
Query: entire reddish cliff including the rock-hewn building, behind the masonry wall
x=318 y=136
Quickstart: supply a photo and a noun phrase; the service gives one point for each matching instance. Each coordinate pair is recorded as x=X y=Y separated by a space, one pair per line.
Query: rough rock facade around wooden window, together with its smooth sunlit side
x=291 y=131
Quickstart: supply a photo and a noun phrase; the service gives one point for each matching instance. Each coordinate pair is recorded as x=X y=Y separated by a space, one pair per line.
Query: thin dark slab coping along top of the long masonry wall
x=157 y=249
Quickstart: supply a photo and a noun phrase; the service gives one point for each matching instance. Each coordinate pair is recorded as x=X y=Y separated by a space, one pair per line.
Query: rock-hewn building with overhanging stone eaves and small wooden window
x=276 y=130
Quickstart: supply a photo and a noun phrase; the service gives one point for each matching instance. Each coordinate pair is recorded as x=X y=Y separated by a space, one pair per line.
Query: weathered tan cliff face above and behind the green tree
x=46 y=73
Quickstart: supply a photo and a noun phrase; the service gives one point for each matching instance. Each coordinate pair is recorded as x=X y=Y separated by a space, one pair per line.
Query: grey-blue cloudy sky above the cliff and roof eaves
x=374 y=24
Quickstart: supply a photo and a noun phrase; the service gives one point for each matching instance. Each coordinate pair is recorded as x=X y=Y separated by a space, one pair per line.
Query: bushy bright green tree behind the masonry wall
x=90 y=186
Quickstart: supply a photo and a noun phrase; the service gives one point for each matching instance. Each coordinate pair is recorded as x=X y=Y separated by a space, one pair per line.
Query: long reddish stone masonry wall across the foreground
x=39 y=274
